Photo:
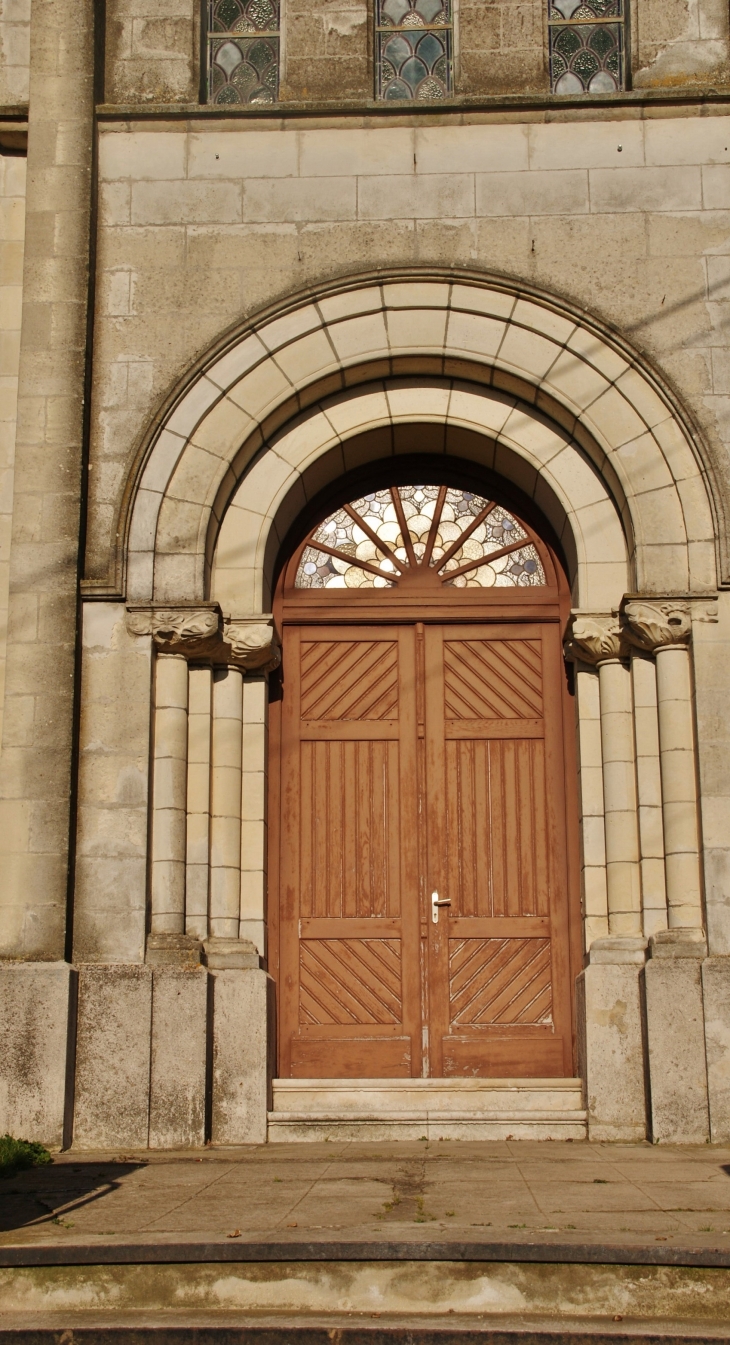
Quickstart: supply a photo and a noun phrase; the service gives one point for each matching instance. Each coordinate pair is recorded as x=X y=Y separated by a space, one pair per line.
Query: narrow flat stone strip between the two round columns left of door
x=198 y=827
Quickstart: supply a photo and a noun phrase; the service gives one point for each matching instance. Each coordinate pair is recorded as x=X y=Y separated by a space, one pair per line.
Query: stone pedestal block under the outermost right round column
x=676 y=1035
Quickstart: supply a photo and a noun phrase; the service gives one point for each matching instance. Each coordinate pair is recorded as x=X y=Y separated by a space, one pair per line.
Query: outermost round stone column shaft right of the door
x=677 y=746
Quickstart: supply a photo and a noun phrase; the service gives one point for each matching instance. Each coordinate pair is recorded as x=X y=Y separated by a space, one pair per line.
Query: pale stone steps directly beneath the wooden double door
x=432 y=1109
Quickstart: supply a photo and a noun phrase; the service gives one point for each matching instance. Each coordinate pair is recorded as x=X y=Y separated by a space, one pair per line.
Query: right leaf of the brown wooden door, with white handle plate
x=499 y=989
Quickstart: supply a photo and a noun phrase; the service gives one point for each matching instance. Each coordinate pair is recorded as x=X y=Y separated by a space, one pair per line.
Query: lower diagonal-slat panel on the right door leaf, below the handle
x=501 y=981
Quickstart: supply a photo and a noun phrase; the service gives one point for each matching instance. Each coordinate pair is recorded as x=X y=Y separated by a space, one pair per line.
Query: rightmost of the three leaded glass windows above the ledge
x=588 y=45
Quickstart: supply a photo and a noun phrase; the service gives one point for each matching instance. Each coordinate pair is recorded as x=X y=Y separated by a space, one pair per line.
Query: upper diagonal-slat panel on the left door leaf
x=350 y=680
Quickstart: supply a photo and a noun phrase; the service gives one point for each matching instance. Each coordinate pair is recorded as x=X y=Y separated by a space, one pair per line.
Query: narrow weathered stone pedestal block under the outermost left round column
x=178 y=1065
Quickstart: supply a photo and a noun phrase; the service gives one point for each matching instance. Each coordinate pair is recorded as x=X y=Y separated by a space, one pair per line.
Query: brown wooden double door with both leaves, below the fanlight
x=424 y=878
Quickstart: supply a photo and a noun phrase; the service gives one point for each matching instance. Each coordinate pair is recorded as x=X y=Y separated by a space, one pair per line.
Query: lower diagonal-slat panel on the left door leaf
x=350 y=983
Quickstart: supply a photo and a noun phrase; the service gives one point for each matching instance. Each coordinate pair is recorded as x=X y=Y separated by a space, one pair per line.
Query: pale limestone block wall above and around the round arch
x=204 y=224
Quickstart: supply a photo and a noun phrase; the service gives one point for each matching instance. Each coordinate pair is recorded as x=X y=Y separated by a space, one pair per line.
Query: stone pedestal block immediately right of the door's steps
x=611 y=1044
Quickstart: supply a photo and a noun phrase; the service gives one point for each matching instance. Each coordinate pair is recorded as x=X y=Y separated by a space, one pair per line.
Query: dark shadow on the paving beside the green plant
x=52 y=1195
